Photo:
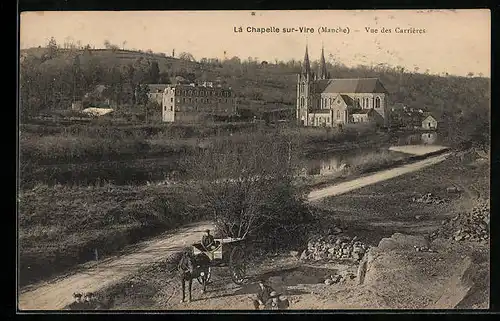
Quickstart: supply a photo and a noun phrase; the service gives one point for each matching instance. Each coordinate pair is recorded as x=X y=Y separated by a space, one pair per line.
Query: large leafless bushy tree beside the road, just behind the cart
x=247 y=186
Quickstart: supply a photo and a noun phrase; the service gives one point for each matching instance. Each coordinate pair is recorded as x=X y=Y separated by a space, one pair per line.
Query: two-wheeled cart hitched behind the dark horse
x=225 y=252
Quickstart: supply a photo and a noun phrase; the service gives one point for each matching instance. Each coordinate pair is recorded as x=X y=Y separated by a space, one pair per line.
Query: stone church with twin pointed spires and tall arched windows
x=329 y=102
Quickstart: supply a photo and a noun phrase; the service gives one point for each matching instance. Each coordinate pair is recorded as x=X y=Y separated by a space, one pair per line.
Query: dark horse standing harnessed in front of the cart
x=193 y=267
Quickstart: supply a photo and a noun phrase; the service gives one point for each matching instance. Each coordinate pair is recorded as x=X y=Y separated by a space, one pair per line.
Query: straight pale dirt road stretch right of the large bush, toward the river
x=372 y=179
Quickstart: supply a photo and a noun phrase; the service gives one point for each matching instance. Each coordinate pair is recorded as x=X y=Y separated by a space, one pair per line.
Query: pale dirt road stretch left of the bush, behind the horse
x=56 y=294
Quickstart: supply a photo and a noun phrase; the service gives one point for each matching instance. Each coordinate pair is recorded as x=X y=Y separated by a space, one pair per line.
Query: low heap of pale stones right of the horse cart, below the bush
x=334 y=247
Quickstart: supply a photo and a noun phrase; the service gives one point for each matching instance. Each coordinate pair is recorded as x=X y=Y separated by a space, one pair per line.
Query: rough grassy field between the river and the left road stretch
x=61 y=226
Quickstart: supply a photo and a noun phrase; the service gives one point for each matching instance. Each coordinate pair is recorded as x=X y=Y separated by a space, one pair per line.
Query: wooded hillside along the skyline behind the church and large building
x=60 y=75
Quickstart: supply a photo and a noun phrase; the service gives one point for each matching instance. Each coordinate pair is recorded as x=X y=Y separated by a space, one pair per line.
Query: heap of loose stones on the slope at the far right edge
x=472 y=226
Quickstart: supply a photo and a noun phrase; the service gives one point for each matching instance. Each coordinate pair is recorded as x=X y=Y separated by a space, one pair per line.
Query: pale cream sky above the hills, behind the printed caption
x=455 y=41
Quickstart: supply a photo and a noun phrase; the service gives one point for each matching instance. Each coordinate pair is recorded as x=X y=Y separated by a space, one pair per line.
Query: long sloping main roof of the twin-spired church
x=355 y=85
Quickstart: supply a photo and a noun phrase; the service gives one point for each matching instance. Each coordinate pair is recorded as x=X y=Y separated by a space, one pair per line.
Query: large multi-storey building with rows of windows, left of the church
x=191 y=102
